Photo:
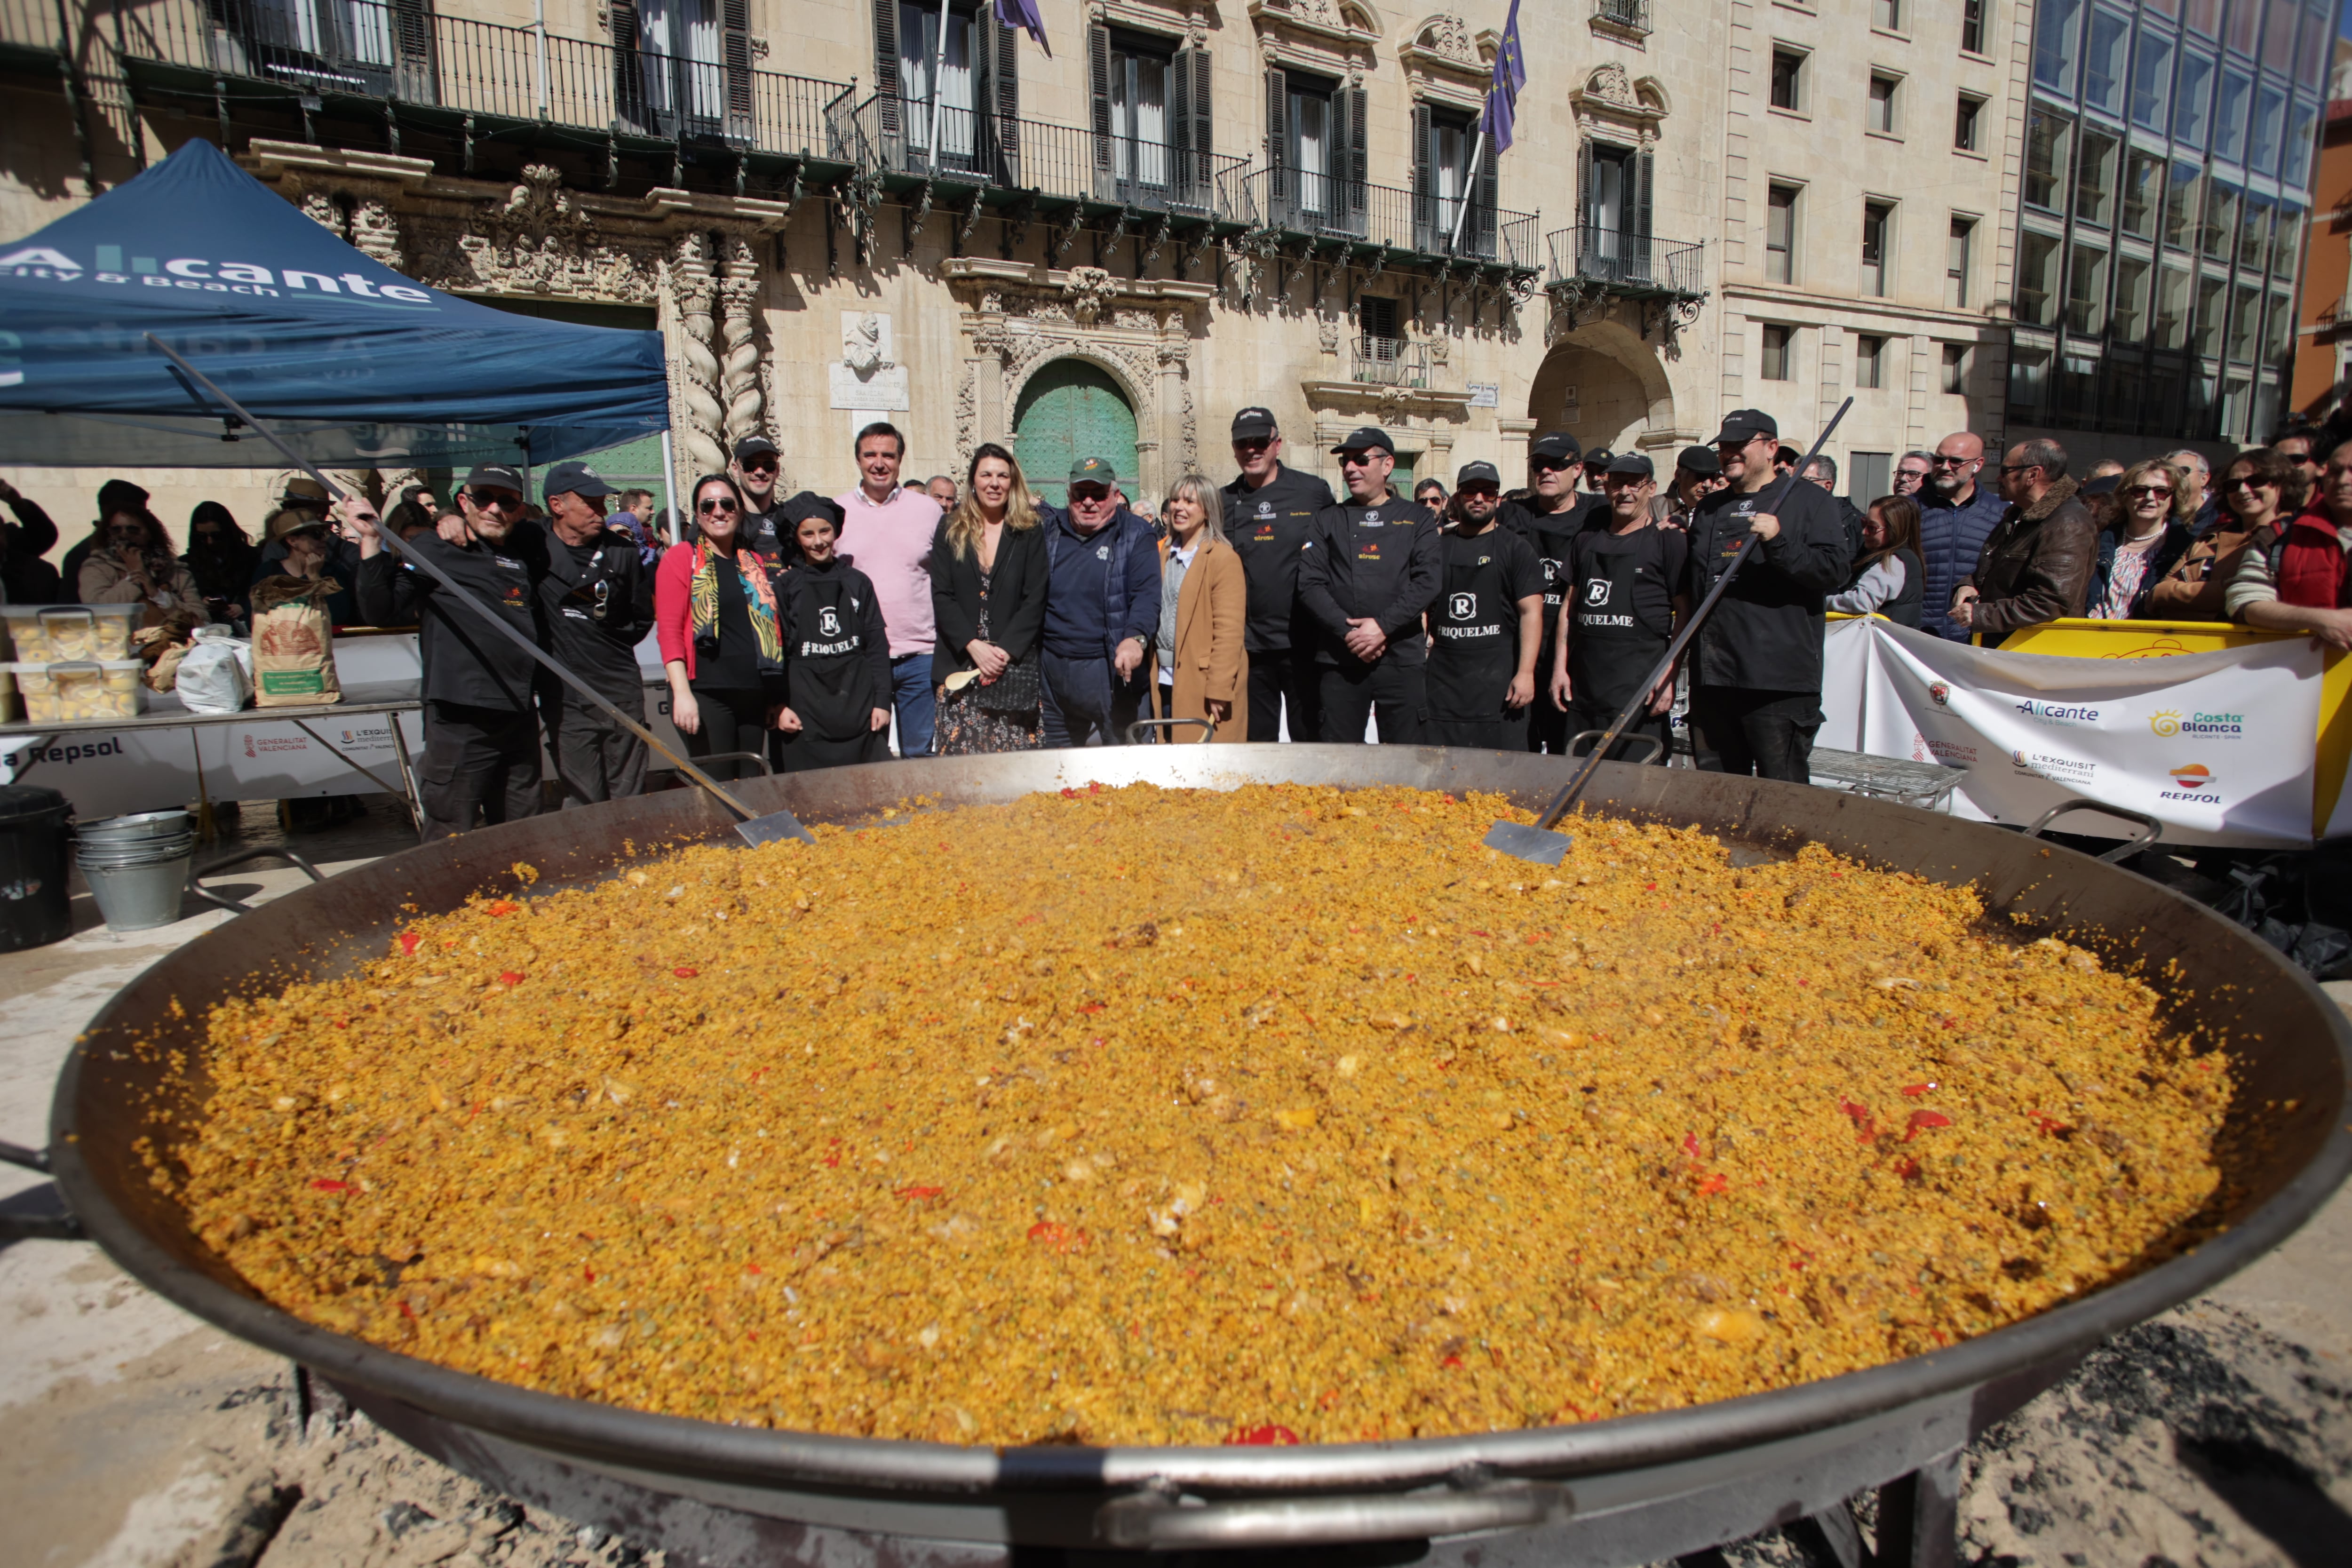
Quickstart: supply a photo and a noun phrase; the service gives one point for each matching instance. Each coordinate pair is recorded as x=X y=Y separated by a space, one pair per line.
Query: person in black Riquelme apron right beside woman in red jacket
x=836 y=657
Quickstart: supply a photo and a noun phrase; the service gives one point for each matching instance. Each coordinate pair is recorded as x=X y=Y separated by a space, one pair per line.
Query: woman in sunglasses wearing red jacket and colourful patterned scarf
x=721 y=638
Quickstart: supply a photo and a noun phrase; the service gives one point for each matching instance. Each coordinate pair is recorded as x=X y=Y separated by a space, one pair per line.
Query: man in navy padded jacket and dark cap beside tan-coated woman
x=1102 y=612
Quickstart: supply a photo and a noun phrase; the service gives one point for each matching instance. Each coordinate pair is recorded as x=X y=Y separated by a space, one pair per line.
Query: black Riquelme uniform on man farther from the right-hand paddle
x=1476 y=638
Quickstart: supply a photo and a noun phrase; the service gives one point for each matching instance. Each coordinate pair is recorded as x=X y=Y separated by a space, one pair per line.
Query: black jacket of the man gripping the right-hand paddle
x=1765 y=634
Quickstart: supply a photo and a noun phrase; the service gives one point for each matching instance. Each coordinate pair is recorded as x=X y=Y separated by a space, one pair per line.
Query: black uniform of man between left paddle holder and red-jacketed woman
x=599 y=605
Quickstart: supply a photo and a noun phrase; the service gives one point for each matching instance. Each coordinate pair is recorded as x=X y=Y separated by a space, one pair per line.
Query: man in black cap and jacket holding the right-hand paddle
x=1756 y=664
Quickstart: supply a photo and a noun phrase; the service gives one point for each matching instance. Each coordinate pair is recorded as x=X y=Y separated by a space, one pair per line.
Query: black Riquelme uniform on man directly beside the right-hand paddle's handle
x=1622 y=615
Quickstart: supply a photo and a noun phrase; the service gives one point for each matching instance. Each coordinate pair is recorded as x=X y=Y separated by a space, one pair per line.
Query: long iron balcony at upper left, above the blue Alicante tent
x=455 y=67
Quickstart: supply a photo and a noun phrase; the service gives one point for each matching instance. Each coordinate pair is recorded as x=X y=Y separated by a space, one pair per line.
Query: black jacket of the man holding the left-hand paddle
x=465 y=659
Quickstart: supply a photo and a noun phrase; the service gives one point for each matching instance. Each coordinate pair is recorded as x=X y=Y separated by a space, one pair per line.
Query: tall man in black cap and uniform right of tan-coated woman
x=1269 y=509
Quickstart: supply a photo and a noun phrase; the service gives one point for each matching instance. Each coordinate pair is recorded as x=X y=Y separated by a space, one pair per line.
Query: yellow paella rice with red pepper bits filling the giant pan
x=1187 y=1118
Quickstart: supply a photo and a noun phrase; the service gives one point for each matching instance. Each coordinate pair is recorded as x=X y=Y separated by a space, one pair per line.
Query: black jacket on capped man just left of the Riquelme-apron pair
x=1372 y=561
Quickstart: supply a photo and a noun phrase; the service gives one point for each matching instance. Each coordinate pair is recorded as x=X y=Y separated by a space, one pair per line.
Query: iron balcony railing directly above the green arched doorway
x=914 y=138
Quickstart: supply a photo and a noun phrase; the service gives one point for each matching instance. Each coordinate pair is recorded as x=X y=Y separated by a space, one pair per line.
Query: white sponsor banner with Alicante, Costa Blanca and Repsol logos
x=2217 y=746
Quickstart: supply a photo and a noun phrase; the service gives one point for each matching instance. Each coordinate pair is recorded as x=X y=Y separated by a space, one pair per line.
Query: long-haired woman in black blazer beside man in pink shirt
x=989 y=579
